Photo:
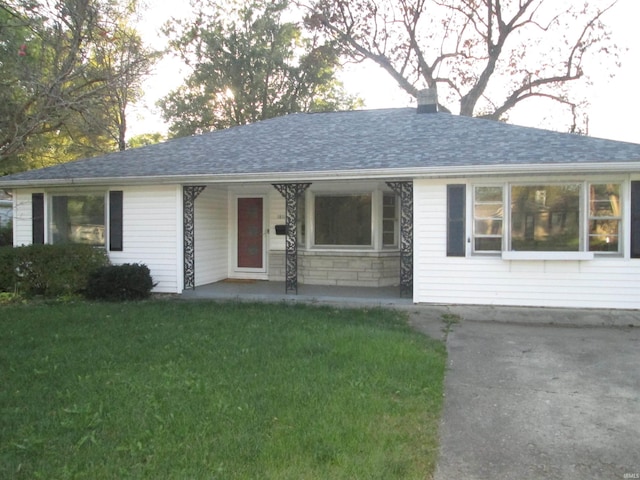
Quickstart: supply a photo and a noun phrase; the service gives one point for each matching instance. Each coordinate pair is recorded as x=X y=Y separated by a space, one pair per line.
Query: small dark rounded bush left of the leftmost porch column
x=116 y=283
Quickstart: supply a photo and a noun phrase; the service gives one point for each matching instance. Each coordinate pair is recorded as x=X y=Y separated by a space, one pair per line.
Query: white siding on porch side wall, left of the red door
x=211 y=235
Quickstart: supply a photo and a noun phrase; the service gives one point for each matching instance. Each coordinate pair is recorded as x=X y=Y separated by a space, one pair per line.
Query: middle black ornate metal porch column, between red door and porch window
x=291 y=192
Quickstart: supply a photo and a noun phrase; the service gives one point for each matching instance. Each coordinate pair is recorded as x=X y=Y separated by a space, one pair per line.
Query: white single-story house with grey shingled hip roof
x=452 y=209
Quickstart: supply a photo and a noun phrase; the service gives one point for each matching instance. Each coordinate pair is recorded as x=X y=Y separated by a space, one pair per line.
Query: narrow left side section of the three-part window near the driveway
x=488 y=219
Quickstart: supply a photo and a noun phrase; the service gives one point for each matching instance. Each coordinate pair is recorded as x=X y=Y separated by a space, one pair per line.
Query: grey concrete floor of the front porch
x=270 y=291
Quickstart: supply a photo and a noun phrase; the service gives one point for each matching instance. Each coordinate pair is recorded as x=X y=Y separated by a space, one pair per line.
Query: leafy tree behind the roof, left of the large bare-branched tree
x=248 y=64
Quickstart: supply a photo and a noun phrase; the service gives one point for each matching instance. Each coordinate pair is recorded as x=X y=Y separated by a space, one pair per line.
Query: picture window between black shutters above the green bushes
x=77 y=219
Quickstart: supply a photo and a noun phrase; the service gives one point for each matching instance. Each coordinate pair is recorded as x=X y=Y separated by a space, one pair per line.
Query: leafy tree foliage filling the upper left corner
x=68 y=71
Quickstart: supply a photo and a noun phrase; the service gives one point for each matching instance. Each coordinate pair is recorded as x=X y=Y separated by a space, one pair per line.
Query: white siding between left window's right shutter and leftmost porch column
x=152 y=229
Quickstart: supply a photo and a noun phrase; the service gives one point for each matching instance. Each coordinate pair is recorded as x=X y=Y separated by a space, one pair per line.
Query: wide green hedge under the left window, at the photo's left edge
x=49 y=270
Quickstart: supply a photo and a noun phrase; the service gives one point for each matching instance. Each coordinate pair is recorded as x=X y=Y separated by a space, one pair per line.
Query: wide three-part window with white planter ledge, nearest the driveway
x=559 y=217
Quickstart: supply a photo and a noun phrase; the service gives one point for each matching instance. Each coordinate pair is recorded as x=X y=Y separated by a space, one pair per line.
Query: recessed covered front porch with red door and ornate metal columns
x=331 y=233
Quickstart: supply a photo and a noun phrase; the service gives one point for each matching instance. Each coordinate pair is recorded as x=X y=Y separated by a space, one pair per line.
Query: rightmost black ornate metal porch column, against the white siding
x=405 y=191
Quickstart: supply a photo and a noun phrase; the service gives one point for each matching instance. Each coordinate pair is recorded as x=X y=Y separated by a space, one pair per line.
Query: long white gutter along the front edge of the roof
x=470 y=171
